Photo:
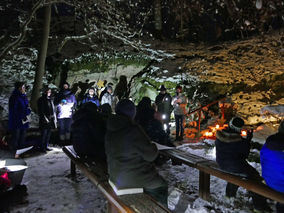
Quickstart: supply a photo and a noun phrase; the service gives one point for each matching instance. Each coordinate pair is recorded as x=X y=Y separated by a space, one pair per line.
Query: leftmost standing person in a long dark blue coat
x=19 y=112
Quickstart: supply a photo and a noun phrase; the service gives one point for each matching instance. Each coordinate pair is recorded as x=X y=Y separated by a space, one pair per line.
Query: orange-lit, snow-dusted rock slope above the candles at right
x=250 y=71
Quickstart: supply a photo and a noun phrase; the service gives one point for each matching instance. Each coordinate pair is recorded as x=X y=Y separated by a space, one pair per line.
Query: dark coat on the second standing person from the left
x=46 y=112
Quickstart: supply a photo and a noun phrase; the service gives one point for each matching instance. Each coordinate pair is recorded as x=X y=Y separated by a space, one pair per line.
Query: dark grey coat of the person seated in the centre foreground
x=130 y=155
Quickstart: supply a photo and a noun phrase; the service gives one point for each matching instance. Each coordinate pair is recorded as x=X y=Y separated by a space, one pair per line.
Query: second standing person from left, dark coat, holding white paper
x=47 y=118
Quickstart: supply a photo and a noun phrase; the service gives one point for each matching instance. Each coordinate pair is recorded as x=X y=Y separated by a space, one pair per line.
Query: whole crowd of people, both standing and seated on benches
x=109 y=127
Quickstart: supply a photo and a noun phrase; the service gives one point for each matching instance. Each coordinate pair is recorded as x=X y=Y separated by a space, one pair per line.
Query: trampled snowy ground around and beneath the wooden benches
x=51 y=189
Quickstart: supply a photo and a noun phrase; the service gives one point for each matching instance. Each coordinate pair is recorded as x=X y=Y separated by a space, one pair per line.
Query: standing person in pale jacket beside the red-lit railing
x=179 y=103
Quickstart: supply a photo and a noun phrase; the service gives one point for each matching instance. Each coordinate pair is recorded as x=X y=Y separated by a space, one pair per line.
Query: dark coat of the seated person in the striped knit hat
x=231 y=151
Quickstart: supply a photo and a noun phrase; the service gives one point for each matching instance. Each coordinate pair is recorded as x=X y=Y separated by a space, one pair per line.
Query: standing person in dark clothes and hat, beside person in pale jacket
x=163 y=102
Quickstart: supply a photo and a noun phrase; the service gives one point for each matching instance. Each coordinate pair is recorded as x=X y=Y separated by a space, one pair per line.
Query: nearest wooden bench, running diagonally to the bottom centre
x=97 y=173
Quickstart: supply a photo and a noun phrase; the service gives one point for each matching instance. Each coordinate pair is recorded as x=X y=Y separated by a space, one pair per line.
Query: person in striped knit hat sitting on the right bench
x=232 y=150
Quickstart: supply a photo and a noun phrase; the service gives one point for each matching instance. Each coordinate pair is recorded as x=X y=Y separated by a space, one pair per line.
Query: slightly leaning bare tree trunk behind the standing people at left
x=41 y=59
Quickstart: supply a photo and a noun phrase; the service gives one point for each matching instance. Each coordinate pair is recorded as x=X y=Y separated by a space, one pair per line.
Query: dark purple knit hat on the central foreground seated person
x=126 y=107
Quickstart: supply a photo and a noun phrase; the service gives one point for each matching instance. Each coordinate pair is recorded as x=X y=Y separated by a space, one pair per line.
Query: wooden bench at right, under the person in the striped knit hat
x=208 y=167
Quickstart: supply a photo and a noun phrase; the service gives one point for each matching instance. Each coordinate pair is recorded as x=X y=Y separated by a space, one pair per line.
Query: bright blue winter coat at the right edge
x=272 y=162
